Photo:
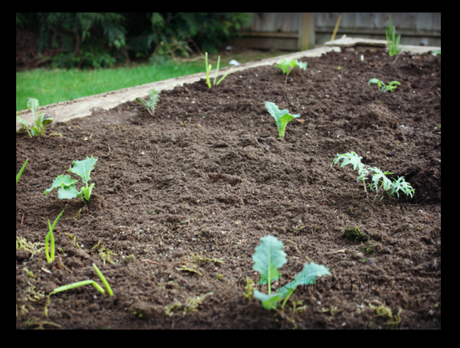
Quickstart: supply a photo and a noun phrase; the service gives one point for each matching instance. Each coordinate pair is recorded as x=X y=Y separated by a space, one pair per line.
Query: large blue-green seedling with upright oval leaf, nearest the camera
x=268 y=257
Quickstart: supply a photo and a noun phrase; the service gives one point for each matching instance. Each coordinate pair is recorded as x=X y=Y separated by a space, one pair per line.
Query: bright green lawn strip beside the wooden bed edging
x=55 y=85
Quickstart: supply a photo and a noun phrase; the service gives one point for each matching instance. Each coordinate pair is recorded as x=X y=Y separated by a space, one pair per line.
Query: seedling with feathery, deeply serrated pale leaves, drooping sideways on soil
x=379 y=179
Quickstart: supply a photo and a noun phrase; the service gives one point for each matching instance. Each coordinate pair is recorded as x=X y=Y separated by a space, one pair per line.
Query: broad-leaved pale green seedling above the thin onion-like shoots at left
x=66 y=184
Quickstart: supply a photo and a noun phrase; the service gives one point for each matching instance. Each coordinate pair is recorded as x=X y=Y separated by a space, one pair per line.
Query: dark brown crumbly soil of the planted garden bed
x=207 y=177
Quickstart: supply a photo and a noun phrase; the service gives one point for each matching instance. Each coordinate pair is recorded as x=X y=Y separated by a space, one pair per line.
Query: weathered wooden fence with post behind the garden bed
x=305 y=30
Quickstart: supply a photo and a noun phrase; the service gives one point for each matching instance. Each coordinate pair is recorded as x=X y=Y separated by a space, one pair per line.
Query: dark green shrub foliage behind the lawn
x=82 y=39
